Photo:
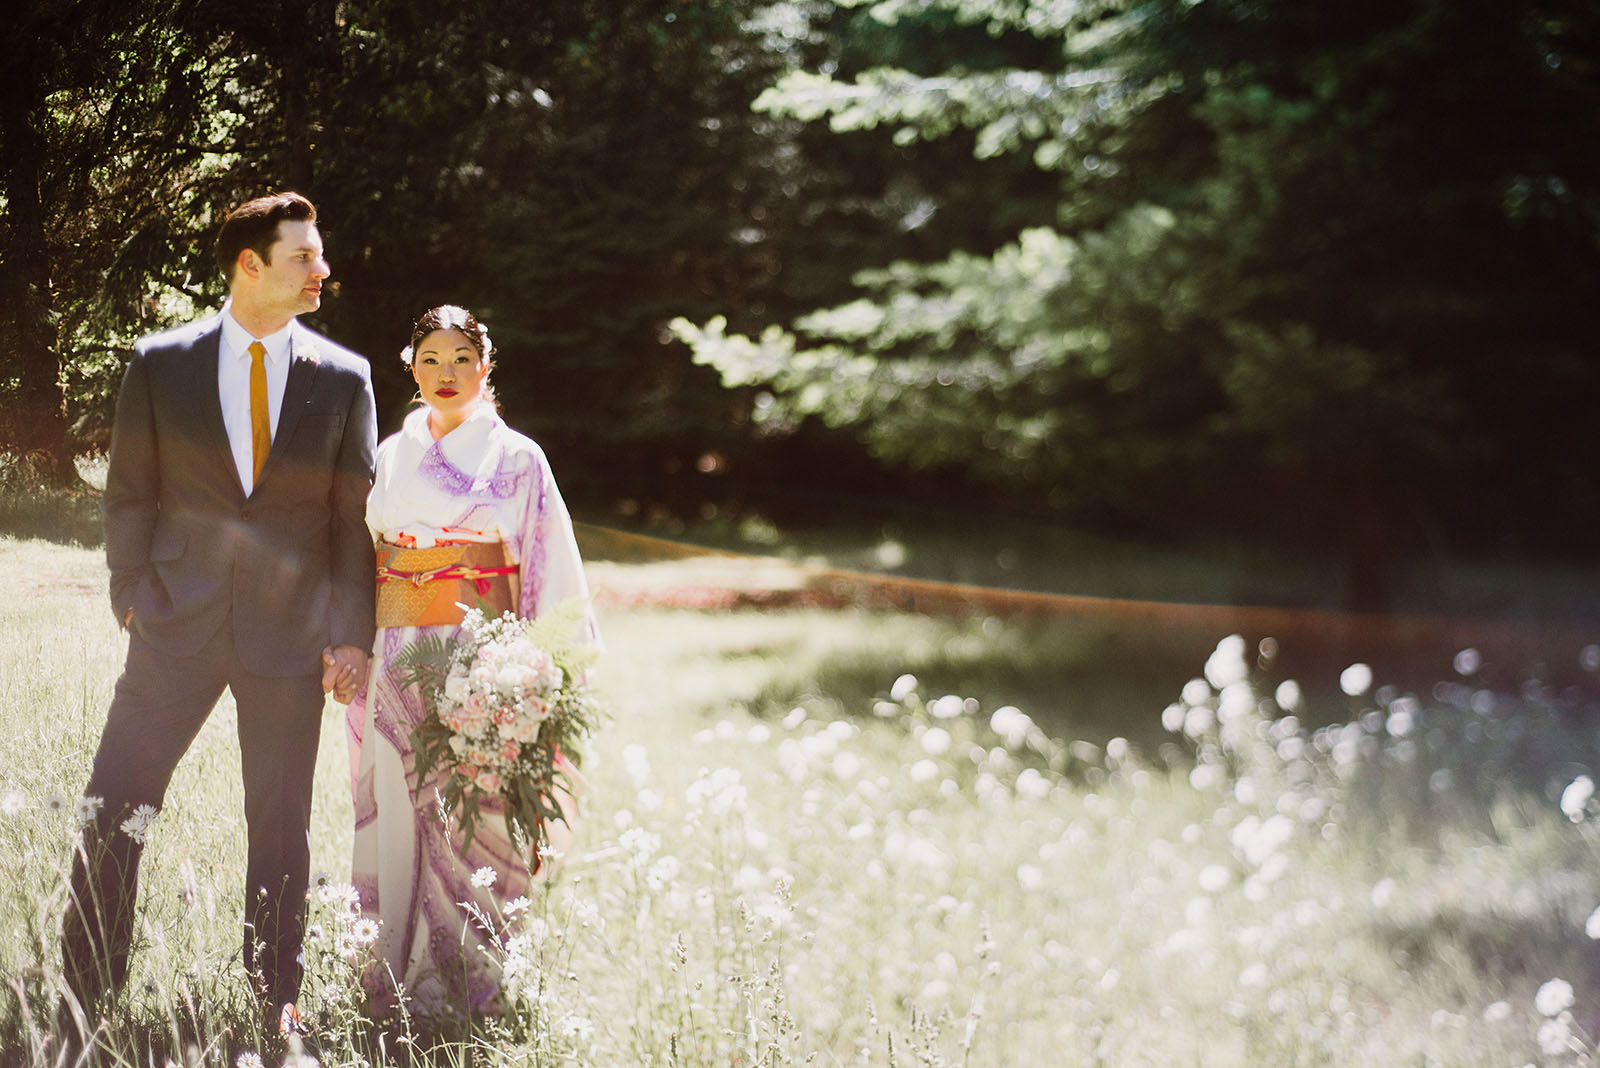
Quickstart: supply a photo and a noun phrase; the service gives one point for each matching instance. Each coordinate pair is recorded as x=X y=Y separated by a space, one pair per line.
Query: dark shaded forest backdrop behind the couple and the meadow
x=1310 y=281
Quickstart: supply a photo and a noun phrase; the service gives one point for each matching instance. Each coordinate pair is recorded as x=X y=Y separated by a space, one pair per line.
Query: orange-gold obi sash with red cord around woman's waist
x=426 y=588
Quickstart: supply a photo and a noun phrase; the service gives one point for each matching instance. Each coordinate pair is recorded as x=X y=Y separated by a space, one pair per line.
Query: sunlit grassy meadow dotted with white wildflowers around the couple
x=796 y=853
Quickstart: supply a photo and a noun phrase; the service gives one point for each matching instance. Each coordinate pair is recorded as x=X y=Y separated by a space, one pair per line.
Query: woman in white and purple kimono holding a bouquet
x=465 y=511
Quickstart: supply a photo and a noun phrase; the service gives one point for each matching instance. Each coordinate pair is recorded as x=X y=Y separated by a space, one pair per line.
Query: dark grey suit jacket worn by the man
x=292 y=564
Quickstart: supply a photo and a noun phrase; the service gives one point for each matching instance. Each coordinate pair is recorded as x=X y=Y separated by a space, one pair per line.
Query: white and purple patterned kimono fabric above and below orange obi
x=481 y=482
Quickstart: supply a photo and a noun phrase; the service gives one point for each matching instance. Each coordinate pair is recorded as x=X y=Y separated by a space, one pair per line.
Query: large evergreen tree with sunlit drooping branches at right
x=1314 y=271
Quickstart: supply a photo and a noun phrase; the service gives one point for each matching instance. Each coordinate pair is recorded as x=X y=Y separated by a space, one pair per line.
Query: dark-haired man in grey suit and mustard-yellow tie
x=236 y=536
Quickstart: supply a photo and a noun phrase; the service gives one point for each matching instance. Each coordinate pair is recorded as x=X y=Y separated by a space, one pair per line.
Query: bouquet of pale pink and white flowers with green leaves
x=506 y=701
